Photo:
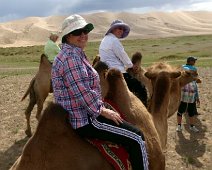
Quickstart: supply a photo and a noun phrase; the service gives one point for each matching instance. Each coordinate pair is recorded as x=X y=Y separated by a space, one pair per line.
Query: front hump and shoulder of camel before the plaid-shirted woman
x=114 y=89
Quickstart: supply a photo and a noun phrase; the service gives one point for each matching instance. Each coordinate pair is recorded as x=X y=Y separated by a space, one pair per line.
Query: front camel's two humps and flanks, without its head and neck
x=54 y=145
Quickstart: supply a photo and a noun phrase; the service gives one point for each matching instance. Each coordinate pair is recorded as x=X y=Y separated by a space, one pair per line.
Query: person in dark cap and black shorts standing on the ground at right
x=189 y=98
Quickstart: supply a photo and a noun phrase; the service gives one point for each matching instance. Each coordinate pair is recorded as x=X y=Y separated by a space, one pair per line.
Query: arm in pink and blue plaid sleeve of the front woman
x=78 y=82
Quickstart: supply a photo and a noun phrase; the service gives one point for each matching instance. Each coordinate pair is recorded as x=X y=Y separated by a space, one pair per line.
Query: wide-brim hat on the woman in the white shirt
x=119 y=23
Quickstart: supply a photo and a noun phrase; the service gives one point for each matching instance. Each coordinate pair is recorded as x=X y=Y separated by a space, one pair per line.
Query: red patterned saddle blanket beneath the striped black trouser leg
x=115 y=154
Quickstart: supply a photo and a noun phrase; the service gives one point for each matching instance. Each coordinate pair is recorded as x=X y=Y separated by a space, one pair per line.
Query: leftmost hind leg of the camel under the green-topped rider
x=28 y=111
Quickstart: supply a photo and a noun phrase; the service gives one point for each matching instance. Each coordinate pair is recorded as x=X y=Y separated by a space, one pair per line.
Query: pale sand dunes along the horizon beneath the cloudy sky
x=35 y=30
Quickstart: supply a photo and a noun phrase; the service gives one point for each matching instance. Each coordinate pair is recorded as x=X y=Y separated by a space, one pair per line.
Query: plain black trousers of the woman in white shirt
x=136 y=87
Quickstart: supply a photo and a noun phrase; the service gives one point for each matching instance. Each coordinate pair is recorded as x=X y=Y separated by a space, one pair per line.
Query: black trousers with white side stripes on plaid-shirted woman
x=125 y=134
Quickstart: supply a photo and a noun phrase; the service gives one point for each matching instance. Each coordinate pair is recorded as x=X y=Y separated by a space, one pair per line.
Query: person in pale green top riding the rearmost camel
x=51 y=49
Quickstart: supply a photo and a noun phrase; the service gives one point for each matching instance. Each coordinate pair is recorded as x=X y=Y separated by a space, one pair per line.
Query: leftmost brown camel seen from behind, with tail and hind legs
x=38 y=90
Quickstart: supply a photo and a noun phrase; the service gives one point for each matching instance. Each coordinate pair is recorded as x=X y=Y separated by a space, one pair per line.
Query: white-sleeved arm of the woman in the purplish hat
x=121 y=54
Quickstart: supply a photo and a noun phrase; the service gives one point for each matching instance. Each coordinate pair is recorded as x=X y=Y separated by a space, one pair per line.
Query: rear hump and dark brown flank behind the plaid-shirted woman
x=55 y=145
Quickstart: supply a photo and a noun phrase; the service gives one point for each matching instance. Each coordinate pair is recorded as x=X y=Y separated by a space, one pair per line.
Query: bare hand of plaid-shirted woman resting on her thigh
x=110 y=114
